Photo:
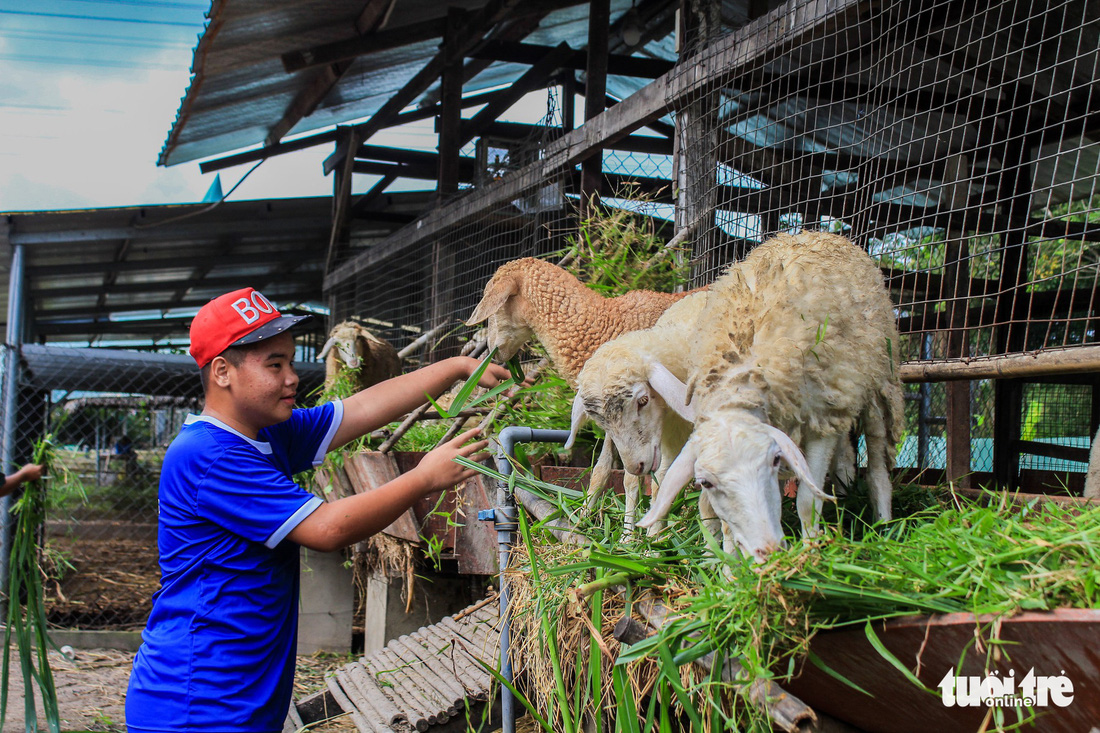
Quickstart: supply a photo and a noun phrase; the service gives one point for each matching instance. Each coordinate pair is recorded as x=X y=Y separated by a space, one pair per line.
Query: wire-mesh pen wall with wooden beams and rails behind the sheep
x=954 y=141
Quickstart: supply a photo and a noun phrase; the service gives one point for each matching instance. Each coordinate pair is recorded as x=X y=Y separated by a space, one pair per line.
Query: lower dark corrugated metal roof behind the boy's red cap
x=139 y=273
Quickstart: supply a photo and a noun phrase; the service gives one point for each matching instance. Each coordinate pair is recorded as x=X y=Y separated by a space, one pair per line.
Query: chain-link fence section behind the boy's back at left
x=100 y=550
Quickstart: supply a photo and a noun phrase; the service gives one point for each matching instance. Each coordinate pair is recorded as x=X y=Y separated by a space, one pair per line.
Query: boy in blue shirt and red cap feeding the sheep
x=218 y=652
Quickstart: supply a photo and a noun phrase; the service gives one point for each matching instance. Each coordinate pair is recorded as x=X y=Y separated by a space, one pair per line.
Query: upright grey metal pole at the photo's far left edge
x=15 y=340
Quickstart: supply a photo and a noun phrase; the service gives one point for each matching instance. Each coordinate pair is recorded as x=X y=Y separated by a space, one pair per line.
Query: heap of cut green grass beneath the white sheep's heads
x=947 y=555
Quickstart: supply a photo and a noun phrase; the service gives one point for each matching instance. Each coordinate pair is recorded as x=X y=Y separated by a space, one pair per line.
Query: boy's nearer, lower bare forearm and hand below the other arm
x=354 y=519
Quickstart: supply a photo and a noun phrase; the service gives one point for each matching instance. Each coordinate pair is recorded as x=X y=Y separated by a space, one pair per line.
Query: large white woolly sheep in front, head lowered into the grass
x=796 y=345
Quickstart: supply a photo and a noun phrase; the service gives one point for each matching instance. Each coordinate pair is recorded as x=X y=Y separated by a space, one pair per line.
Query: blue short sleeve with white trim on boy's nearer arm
x=246 y=495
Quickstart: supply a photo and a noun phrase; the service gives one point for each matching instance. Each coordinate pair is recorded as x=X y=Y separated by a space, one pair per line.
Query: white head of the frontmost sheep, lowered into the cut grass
x=735 y=461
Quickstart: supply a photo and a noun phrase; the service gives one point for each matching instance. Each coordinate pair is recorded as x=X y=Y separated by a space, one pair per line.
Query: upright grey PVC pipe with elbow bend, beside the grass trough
x=507 y=538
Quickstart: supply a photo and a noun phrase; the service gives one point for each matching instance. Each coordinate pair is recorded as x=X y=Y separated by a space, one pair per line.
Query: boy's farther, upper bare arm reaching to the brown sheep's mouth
x=388 y=401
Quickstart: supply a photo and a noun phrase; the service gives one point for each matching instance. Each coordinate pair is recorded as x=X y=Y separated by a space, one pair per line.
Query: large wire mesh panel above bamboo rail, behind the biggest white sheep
x=953 y=141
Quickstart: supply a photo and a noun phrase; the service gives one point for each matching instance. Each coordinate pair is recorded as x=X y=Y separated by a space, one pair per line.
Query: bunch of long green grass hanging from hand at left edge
x=27 y=616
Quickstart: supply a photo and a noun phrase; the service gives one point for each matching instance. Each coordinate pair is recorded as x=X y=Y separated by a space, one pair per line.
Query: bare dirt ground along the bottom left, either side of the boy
x=92 y=691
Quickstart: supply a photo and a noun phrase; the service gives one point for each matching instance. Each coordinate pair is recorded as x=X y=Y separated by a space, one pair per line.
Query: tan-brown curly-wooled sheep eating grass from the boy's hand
x=531 y=298
